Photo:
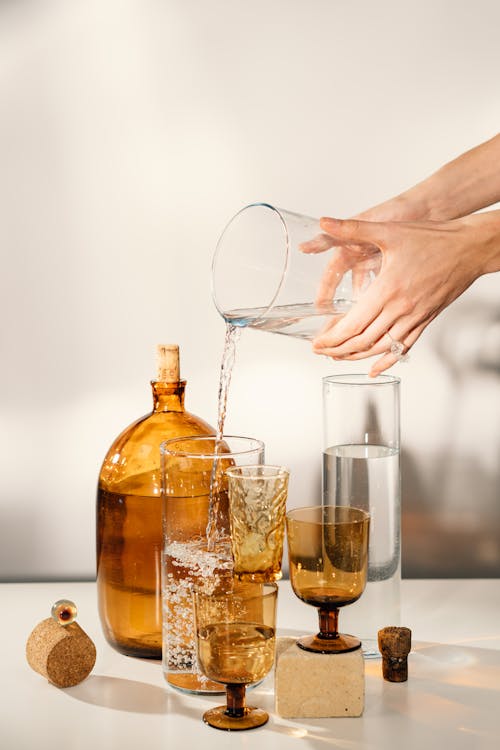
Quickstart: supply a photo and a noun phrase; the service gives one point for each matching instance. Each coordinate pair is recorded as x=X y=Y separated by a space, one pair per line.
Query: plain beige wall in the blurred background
x=130 y=131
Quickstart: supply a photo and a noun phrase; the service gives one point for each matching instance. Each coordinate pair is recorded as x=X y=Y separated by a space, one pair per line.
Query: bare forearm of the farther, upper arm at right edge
x=464 y=185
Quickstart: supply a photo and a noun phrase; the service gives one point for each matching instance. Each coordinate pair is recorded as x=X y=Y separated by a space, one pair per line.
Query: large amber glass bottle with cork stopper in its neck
x=129 y=516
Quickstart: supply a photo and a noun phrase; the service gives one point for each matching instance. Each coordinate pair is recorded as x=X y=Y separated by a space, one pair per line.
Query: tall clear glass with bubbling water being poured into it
x=196 y=545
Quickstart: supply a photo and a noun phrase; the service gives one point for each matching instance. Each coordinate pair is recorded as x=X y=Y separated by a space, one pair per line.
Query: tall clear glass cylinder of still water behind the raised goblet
x=361 y=468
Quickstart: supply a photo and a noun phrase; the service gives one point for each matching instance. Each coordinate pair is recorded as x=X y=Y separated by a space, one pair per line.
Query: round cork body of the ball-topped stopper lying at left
x=65 y=655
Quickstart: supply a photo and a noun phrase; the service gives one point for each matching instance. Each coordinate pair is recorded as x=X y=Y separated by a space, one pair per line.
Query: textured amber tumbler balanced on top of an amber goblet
x=257 y=502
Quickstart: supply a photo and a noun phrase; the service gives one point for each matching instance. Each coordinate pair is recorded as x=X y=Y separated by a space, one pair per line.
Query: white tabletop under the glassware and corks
x=451 y=700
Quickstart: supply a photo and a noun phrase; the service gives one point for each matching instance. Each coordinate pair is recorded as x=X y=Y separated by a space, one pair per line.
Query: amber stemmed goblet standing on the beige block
x=328 y=555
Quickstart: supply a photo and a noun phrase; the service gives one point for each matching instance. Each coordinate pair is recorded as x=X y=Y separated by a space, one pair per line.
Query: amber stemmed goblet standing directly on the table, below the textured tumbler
x=235 y=639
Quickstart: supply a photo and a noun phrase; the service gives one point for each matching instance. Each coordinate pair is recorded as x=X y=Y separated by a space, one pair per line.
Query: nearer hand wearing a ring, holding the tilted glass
x=424 y=267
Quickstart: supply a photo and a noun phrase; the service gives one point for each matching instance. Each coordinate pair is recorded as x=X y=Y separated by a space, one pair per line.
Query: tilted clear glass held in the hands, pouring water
x=263 y=277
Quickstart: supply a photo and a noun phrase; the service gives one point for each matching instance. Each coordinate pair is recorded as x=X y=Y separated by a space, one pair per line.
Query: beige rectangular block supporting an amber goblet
x=315 y=686
